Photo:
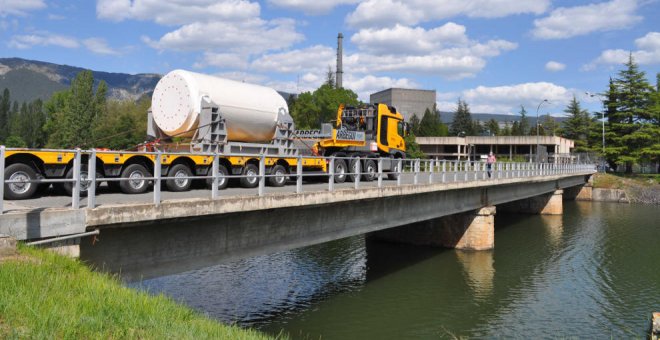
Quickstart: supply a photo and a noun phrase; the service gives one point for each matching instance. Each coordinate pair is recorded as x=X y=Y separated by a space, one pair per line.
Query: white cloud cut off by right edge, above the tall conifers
x=648 y=53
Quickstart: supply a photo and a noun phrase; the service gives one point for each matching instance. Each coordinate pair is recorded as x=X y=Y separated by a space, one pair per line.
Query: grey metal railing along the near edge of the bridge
x=360 y=172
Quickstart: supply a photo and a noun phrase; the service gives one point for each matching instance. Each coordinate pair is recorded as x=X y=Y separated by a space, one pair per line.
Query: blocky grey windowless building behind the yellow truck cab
x=406 y=101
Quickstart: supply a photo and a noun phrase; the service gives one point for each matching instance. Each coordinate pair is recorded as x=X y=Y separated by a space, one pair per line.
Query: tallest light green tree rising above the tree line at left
x=72 y=123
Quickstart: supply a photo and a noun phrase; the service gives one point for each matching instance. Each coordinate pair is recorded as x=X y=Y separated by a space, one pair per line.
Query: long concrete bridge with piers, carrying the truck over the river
x=444 y=203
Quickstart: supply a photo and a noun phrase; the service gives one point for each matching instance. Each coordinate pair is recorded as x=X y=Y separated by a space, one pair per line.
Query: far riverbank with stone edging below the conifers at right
x=638 y=189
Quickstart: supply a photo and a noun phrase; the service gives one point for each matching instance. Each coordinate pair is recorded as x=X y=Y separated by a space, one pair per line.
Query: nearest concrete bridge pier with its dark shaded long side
x=473 y=230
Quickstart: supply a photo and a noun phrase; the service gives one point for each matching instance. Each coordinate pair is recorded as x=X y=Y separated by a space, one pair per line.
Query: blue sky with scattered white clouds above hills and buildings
x=496 y=55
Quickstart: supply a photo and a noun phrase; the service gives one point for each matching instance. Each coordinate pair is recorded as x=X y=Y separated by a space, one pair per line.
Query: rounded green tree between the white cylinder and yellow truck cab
x=311 y=109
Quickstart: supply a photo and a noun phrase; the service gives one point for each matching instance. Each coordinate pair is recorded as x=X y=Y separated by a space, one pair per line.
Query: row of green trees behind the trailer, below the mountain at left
x=80 y=116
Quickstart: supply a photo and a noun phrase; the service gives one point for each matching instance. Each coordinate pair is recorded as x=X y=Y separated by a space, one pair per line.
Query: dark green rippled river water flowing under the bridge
x=593 y=272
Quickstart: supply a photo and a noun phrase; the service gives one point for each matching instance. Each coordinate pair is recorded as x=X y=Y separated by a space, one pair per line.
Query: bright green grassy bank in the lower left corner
x=43 y=295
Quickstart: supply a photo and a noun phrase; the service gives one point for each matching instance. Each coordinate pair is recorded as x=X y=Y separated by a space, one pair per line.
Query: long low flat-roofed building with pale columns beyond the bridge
x=550 y=148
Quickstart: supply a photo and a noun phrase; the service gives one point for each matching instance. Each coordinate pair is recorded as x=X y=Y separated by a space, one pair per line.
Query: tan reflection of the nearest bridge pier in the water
x=479 y=270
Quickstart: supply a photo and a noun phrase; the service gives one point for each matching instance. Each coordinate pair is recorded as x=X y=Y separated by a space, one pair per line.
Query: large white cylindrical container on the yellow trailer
x=250 y=111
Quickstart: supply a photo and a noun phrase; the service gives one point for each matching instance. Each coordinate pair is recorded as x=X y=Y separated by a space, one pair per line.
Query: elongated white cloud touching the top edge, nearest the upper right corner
x=566 y=22
